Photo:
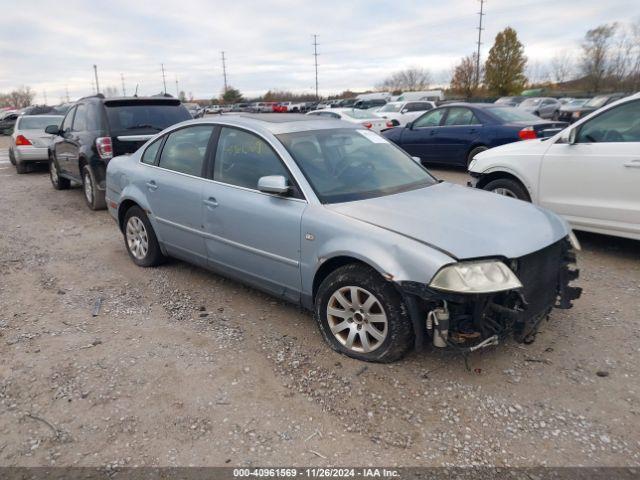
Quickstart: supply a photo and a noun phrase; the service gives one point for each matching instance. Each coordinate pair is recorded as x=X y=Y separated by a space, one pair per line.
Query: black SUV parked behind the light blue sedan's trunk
x=95 y=129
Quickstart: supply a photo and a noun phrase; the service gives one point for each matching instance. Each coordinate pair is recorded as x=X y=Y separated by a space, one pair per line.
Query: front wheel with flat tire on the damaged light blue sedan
x=393 y=335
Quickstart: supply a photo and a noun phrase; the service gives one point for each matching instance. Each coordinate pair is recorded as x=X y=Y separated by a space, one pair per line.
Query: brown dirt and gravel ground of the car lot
x=183 y=367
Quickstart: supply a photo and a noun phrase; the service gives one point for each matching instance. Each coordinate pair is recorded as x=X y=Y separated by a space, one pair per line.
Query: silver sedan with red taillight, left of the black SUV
x=29 y=142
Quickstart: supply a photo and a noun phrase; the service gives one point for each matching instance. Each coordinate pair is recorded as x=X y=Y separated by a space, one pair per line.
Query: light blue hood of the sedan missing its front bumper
x=462 y=222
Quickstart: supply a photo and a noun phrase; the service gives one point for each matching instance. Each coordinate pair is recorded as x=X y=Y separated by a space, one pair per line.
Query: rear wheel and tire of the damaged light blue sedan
x=140 y=239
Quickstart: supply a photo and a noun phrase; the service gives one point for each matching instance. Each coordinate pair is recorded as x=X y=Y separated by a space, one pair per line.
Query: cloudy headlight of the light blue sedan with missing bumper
x=475 y=277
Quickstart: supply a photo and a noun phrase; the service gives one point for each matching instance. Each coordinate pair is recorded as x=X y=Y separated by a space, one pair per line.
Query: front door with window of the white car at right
x=594 y=182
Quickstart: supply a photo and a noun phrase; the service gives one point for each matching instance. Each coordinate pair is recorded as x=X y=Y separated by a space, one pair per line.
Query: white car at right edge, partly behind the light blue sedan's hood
x=589 y=172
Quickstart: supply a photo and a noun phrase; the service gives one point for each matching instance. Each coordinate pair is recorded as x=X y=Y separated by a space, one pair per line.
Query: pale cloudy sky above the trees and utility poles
x=52 y=46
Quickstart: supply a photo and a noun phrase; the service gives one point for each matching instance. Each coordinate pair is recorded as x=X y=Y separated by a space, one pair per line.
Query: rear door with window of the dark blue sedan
x=461 y=129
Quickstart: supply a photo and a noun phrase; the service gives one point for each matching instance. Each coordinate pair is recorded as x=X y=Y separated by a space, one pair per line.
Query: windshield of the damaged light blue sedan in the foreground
x=344 y=165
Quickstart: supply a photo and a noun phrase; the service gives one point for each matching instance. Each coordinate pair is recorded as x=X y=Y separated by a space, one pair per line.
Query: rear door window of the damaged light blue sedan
x=185 y=150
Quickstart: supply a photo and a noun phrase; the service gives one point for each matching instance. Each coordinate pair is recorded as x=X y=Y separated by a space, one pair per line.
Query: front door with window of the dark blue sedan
x=421 y=139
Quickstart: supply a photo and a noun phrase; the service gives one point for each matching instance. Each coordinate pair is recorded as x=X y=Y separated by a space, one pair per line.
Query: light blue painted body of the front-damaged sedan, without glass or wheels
x=278 y=244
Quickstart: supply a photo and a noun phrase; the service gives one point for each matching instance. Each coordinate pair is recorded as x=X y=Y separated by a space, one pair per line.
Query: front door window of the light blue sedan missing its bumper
x=242 y=158
